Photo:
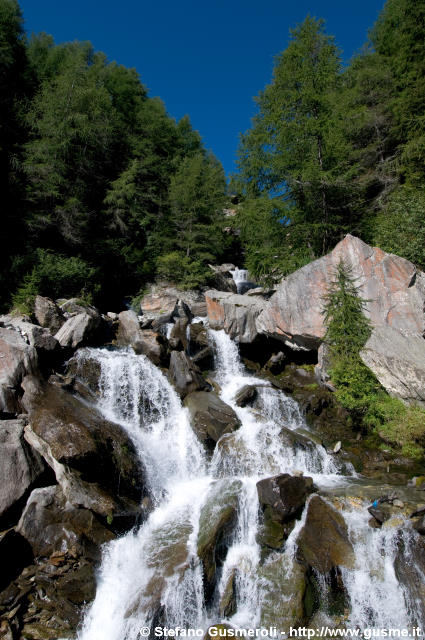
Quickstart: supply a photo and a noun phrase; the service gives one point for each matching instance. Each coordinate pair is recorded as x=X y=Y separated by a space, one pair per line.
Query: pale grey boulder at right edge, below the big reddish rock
x=398 y=361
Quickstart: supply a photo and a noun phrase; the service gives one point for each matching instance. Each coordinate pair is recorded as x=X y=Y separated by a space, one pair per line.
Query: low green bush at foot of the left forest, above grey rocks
x=55 y=275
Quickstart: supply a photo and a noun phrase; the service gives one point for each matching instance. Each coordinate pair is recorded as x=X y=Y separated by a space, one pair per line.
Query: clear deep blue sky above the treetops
x=204 y=58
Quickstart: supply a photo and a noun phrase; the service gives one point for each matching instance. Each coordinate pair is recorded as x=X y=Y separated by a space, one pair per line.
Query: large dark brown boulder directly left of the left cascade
x=94 y=460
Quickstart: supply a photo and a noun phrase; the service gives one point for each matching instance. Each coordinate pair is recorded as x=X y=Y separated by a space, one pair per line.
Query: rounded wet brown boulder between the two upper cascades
x=210 y=416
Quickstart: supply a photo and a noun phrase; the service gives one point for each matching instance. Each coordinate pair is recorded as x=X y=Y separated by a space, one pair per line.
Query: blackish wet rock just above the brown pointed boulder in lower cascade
x=284 y=494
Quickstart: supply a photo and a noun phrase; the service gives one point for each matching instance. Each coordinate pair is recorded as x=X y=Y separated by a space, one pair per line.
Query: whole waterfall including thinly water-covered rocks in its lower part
x=198 y=557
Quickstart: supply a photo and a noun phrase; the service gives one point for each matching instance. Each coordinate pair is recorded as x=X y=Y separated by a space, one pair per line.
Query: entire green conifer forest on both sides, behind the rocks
x=102 y=191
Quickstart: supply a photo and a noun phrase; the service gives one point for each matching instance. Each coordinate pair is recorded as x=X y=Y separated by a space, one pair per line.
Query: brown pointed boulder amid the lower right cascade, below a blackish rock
x=323 y=542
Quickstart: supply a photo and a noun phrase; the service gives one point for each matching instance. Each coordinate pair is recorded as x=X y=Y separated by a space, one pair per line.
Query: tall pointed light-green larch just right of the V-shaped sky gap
x=294 y=151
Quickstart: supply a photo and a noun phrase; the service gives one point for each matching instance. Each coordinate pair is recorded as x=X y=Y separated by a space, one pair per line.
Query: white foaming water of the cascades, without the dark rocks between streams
x=156 y=571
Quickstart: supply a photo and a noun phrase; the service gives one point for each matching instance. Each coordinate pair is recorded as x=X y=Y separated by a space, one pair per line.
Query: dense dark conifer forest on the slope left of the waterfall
x=101 y=188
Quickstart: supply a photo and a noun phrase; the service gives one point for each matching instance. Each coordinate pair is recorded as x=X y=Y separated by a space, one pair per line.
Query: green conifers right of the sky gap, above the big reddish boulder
x=336 y=149
